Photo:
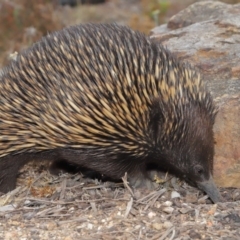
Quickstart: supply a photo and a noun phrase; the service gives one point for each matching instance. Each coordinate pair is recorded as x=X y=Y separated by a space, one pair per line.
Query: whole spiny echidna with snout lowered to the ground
x=107 y=98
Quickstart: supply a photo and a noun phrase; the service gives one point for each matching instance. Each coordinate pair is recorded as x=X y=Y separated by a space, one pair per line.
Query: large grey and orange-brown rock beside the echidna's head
x=207 y=34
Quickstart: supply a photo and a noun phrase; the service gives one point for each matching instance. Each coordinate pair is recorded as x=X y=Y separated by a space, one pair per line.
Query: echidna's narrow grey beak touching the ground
x=211 y=189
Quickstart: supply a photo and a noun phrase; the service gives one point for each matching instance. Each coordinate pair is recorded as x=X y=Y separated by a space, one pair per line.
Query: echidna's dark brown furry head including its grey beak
x=185 y=143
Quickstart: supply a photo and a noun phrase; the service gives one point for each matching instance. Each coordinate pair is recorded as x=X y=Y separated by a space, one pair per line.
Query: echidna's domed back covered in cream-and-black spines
x=89 y=86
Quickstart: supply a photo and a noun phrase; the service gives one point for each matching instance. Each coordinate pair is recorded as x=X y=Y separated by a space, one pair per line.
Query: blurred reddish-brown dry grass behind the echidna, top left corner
x=23 y=22
